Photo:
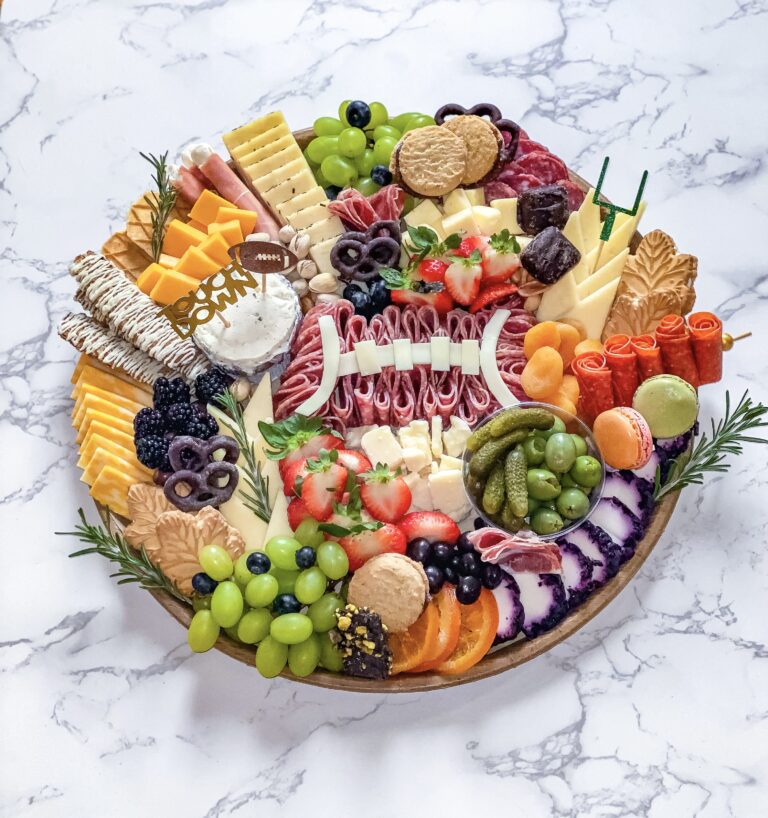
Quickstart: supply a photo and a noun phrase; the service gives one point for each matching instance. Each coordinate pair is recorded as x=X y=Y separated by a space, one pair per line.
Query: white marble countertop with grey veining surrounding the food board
x=658 y=707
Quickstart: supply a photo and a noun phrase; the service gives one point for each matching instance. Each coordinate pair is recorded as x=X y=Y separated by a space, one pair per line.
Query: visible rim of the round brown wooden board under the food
x=501 y=659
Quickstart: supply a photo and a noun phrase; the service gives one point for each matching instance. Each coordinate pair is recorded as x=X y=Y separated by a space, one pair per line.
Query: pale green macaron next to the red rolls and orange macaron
x=668 y=403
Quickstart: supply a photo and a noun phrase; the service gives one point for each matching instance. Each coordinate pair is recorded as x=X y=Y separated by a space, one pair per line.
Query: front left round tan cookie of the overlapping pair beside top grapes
x=429 y=162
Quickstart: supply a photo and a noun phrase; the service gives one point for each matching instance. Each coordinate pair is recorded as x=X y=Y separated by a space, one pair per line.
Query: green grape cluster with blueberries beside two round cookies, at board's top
x=354 y=149
